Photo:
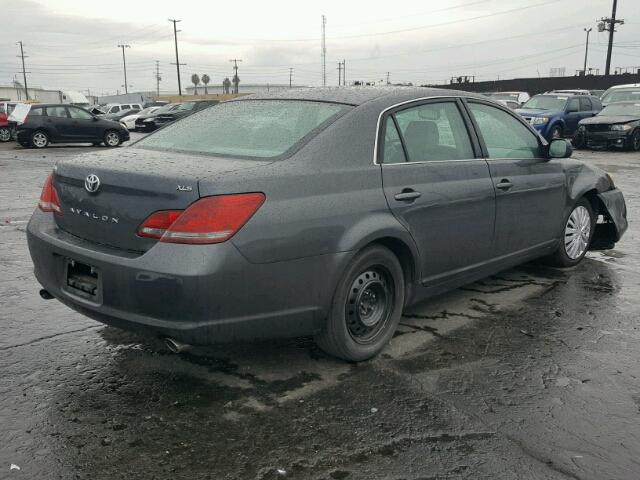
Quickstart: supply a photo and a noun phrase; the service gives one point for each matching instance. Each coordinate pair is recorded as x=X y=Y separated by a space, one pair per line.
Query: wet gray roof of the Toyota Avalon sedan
x=360 y=95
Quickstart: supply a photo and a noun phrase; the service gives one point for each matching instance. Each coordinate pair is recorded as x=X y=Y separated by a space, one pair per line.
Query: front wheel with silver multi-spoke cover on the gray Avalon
x=570 y=253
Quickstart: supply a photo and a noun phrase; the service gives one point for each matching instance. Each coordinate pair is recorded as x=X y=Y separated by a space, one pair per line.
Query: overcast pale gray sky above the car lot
x=72 y=44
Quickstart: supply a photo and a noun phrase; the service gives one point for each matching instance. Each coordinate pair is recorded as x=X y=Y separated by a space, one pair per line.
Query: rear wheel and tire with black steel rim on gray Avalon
x=366 y=306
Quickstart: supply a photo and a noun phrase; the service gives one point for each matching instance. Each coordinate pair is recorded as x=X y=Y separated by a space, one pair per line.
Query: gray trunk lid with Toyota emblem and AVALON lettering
x=130 y=184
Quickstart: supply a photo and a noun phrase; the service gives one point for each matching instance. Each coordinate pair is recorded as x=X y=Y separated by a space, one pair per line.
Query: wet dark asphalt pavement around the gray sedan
x=529 y=374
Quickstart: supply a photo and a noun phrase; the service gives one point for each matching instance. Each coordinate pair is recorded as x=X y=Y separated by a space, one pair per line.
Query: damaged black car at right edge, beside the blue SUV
x=617 y=125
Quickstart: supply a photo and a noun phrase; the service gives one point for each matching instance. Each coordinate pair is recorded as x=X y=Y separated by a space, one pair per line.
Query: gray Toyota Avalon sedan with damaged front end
x=317 y=212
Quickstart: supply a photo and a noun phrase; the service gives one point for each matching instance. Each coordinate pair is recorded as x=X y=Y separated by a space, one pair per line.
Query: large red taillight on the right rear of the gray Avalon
x=209 y=220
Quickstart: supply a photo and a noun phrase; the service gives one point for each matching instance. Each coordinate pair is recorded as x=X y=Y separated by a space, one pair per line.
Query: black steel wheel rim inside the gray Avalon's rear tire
x=369 y=304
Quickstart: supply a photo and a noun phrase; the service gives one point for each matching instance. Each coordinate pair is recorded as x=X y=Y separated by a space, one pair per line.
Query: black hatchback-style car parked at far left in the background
x=57 y=123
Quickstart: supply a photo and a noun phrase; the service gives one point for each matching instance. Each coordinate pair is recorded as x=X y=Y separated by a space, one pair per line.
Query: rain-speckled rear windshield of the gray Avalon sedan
x=256 y=129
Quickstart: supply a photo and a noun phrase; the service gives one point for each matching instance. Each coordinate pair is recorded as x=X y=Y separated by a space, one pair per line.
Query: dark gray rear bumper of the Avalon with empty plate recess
x=198 y=294
